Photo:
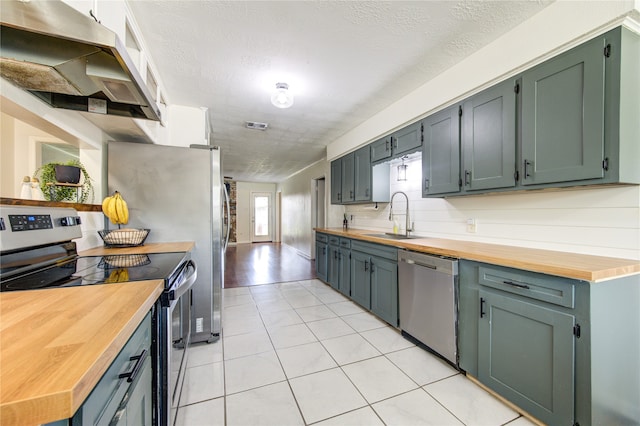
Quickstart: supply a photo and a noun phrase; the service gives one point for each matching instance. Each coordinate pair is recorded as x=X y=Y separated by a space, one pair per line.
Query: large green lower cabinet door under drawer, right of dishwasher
x=526 y=354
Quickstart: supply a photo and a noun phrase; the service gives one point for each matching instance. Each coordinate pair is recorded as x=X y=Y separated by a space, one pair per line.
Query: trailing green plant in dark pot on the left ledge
x=55 y=173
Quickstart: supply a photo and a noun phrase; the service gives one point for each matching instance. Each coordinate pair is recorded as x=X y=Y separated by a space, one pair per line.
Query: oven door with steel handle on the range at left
x=175 y=330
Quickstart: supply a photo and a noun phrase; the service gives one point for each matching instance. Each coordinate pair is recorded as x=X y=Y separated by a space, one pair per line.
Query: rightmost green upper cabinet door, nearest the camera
x=563 y=117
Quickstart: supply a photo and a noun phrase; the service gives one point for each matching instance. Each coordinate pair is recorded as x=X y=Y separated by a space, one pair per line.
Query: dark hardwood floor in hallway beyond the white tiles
x=265 y=263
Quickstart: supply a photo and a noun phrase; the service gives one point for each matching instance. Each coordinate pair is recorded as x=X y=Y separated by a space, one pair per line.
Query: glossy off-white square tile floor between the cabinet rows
x=300 y=353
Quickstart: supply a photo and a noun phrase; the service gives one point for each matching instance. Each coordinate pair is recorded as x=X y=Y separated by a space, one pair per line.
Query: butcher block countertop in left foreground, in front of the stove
x=56 y=344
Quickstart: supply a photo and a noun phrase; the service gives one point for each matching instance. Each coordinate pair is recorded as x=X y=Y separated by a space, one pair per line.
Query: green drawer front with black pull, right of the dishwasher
x=555 y=290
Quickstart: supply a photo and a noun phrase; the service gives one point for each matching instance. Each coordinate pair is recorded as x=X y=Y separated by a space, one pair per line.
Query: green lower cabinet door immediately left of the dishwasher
x=384 y=290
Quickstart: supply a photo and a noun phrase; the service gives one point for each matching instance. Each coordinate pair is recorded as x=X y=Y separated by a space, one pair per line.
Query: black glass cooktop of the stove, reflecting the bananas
x=101 y=270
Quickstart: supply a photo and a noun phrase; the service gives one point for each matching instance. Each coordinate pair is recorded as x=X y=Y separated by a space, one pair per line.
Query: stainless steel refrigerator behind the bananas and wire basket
x=178 y=193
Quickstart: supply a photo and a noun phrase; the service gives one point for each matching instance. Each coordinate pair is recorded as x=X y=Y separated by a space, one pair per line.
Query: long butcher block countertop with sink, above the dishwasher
x=569 y=265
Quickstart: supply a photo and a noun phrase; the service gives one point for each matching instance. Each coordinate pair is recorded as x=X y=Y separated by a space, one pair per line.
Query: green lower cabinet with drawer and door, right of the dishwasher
x=526 y=336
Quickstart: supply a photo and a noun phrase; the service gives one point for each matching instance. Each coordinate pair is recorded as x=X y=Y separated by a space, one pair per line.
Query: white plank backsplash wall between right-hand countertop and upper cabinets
x=599 y=221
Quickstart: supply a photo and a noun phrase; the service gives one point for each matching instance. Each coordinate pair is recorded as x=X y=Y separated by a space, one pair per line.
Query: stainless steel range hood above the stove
x=70 y=61
